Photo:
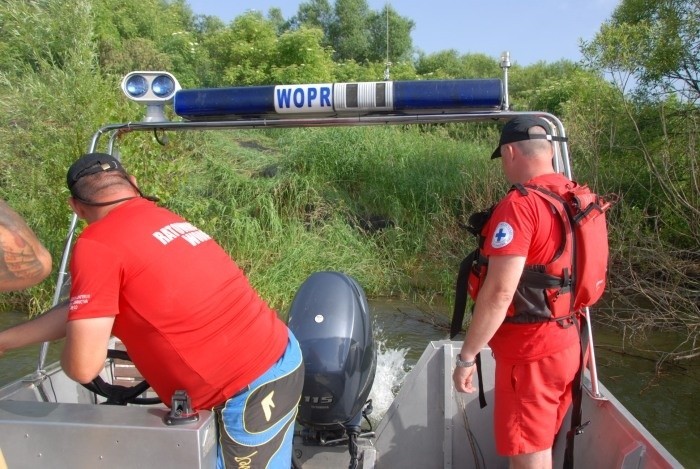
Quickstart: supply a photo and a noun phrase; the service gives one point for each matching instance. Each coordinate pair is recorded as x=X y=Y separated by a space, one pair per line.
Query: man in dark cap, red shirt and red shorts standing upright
x=536 y=357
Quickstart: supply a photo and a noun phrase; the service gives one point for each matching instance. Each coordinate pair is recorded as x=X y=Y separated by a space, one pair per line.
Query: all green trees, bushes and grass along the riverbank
x=386 y=205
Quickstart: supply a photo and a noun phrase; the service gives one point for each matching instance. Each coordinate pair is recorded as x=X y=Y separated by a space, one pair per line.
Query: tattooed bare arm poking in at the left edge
x=24 y=261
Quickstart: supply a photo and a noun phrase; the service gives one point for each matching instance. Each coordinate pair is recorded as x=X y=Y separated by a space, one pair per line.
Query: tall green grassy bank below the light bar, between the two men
x=381 y=204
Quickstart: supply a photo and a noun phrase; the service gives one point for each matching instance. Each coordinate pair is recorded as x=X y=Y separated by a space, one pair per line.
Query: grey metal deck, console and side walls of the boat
x=54 y=422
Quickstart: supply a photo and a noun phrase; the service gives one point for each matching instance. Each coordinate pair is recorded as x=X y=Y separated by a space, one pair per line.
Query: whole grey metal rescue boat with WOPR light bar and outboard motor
x=48 y=420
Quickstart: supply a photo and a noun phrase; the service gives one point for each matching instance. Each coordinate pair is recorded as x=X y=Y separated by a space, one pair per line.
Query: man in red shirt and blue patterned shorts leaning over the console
x=185 y=311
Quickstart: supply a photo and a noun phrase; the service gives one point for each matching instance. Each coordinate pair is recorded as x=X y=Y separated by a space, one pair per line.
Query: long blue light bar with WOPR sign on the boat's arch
x=340 y=99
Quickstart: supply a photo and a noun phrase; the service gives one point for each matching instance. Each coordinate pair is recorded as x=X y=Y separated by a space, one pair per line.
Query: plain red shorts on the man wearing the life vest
x=531 y=400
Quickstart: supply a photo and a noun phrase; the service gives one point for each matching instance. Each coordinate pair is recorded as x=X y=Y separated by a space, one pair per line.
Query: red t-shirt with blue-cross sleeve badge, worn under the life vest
x=526 y=225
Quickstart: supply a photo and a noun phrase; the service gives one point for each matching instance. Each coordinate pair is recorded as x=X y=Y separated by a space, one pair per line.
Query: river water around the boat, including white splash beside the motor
x=664 y=402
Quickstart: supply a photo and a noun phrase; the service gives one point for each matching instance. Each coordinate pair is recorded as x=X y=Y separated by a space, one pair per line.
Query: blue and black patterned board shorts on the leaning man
x=256 y=426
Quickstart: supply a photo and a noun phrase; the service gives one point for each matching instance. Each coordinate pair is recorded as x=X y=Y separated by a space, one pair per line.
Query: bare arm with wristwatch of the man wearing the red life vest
x=489 y=312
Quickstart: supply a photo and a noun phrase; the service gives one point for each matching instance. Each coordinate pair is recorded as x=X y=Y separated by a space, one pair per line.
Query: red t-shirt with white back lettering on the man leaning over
x=184 y=310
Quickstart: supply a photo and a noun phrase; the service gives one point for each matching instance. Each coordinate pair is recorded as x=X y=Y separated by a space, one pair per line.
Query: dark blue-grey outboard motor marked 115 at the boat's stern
x=330 y=317
